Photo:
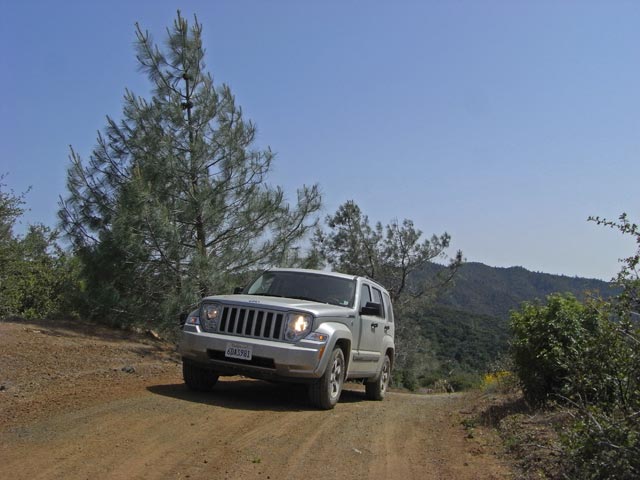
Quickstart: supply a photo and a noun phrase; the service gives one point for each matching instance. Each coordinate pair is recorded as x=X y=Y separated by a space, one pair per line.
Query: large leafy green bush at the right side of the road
x=586 y=357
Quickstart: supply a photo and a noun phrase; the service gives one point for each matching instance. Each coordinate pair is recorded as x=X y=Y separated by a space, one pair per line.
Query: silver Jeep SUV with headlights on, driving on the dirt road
x=295 y=325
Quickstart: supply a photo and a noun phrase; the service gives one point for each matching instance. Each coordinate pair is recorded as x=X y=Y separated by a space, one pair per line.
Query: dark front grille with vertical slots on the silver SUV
x=248 y=322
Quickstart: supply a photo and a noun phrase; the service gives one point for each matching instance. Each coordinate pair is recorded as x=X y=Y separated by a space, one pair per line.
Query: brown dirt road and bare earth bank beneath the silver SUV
x=94 y=403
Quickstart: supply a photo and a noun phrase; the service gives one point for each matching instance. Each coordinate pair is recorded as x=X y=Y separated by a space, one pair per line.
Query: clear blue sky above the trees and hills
x=503 y=123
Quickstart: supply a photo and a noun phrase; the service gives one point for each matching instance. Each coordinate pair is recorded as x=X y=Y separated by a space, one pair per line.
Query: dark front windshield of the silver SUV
x=315 y=287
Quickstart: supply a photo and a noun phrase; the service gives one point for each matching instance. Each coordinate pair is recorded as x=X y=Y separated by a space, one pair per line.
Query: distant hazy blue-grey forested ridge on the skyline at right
x=494 y=291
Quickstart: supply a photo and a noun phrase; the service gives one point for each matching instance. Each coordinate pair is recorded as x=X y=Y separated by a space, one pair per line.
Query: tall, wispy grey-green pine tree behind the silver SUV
x=174 y=199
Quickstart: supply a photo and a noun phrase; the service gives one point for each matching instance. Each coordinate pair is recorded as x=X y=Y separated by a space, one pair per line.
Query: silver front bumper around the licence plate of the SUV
x=270 y=359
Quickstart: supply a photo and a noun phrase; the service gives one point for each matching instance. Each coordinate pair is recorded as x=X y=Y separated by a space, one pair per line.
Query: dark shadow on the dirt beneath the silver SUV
x=245 y=394
